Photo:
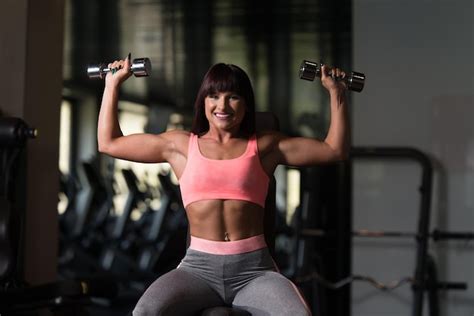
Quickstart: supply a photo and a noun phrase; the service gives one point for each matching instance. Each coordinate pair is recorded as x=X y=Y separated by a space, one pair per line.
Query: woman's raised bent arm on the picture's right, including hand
x=303 y=151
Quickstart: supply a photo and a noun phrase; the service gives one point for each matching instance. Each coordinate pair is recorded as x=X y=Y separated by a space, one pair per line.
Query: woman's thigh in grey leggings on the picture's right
x=271 y=294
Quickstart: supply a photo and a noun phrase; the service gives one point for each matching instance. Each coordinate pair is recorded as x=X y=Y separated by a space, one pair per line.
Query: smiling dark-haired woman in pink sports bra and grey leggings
x=223 y=167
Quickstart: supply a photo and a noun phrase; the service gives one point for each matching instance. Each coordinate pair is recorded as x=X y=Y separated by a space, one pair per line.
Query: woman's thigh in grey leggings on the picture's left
x=176 y=293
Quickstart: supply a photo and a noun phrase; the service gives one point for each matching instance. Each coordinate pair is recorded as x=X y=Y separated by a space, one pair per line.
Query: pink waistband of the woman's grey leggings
x=228 y=247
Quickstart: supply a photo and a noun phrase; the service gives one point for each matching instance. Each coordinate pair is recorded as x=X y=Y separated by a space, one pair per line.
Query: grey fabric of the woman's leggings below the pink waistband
x=248 y=281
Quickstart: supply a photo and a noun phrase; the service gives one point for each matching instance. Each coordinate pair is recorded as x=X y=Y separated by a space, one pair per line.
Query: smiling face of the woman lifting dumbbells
x=225 y=110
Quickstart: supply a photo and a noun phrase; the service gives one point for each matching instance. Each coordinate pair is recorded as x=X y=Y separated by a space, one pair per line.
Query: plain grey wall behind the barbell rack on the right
x=417 y=55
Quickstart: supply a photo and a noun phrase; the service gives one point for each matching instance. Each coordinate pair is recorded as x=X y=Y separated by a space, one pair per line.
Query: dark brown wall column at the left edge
x=31 y=44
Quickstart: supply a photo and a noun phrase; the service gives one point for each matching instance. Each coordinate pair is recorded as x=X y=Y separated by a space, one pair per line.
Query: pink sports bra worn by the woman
x=241 y=178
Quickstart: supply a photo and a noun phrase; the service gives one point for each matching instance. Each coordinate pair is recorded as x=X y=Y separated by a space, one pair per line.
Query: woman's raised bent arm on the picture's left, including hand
x=135 y=147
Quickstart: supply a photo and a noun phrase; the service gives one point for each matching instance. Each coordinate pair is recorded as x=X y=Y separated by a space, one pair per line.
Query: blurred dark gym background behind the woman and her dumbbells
x=388 y=232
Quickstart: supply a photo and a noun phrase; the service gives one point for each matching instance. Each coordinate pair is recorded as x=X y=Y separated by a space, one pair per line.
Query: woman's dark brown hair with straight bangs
x=223 y=78
